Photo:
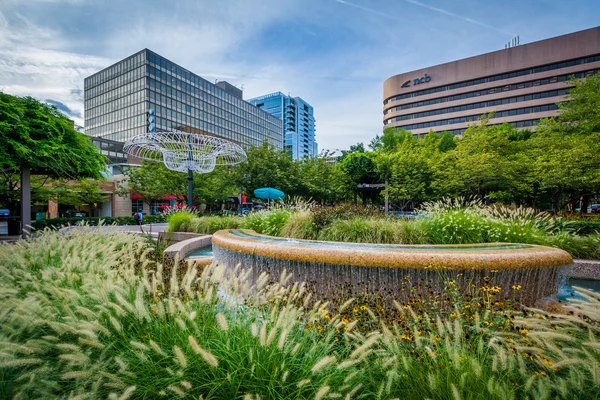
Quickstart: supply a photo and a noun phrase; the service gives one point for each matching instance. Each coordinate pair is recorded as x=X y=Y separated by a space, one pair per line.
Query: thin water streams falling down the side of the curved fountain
x=405 y=285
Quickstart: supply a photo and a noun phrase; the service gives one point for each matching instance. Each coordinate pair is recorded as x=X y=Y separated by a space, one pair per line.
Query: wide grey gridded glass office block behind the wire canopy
x=146 y=92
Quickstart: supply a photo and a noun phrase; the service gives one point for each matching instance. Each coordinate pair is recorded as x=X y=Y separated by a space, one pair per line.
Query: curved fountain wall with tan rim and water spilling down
x=519 y=272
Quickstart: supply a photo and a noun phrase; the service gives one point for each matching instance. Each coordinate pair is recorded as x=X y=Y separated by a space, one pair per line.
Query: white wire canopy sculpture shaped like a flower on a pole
x=182 y=151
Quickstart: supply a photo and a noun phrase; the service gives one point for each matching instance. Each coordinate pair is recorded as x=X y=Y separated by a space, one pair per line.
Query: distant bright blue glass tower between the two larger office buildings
x=298 y=120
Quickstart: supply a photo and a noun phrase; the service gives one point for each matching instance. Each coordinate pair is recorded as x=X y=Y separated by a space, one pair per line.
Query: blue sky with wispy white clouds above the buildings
x=334 y=54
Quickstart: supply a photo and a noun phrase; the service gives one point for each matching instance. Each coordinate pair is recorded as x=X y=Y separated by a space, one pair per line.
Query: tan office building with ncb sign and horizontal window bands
x=521 y=84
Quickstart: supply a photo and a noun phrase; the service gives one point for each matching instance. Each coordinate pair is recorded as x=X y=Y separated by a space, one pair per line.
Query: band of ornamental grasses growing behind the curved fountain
x=448 y=221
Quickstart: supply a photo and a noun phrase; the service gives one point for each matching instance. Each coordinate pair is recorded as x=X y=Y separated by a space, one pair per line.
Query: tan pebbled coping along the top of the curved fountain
x=441 y=256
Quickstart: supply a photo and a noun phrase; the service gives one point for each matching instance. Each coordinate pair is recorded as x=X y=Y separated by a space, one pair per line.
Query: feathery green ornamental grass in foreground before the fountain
x=92 y=315
